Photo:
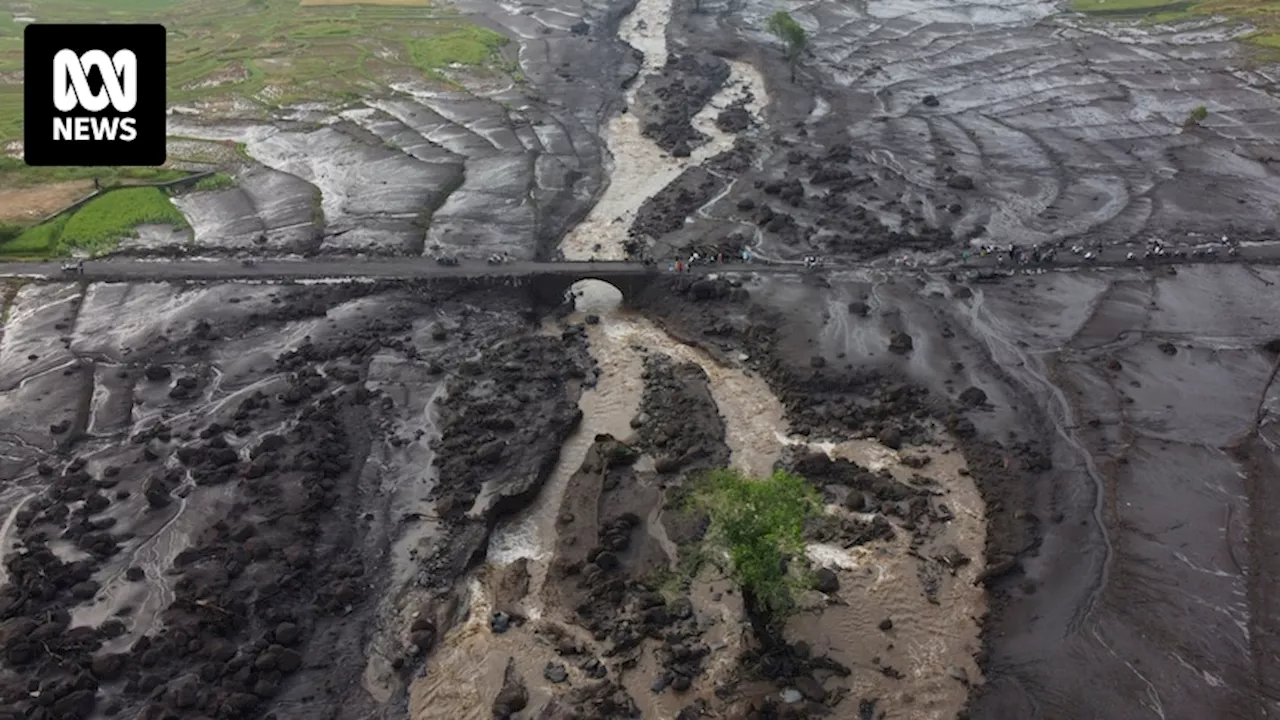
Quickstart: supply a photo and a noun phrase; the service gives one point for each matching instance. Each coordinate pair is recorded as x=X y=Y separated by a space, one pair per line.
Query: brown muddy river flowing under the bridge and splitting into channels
x=880 y=581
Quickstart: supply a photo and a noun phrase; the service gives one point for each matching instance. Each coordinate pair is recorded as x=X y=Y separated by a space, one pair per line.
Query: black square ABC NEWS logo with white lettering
x=94 y=95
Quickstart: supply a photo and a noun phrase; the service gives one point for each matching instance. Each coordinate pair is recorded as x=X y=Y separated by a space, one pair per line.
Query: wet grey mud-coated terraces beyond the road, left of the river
x=426 y=168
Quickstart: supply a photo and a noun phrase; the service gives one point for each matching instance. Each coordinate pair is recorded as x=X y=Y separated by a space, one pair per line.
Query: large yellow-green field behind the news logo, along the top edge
x=272 y=52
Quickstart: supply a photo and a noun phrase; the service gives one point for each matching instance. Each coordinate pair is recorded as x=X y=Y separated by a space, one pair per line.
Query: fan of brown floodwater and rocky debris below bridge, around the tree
x=601 y=601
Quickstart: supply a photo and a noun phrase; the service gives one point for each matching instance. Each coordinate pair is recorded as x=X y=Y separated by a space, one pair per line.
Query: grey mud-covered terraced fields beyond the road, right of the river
x=922 y=125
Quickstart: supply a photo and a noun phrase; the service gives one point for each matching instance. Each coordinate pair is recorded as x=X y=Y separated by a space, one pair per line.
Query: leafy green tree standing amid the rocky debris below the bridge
x=760 y=526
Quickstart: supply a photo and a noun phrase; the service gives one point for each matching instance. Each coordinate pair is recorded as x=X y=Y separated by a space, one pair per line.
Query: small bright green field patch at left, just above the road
x=98 y=227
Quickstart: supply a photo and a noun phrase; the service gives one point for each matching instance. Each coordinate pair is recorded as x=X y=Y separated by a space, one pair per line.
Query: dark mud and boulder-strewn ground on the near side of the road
x=235 y=505
